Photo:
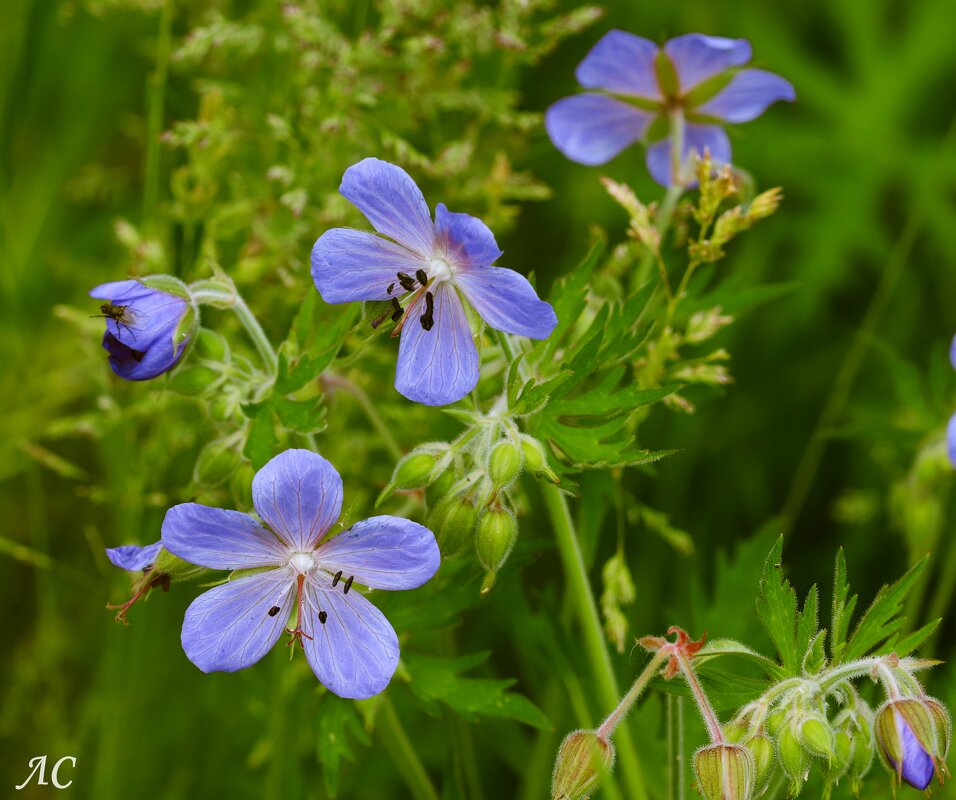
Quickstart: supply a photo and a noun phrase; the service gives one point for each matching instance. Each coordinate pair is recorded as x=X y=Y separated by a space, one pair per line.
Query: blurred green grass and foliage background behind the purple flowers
x=831 y=430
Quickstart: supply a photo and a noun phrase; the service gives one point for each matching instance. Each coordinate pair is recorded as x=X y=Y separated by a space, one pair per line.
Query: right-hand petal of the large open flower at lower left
x=383 y=553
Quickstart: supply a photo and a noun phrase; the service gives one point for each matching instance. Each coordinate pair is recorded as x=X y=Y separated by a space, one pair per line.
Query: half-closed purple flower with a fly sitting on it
x=148 y=325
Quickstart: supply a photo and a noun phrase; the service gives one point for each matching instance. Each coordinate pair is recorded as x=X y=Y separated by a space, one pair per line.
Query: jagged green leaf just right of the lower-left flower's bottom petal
x=437 y=680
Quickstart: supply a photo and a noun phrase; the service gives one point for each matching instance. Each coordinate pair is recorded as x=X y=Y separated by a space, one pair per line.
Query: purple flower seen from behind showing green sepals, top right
x=642 y=83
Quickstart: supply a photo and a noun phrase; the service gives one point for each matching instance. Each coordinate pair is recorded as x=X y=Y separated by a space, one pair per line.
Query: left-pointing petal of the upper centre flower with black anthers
x=352 y=265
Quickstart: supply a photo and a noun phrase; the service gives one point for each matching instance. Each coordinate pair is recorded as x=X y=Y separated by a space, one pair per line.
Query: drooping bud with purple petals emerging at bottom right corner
x=909 y=740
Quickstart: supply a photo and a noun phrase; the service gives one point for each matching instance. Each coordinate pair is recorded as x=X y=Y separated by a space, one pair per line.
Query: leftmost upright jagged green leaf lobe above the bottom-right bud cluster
x=790 y=631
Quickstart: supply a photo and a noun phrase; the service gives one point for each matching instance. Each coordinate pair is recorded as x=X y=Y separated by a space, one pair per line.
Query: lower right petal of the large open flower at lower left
x=355 y=652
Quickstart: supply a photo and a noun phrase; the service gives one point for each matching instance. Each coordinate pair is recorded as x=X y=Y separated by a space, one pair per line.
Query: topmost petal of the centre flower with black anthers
x=391 y=201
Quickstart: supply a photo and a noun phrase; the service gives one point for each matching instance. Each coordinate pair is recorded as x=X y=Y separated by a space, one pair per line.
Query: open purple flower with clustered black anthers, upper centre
x=425 y=269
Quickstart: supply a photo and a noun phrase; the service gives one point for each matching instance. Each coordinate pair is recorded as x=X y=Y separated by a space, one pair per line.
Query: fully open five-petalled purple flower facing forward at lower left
x=347 y=641
